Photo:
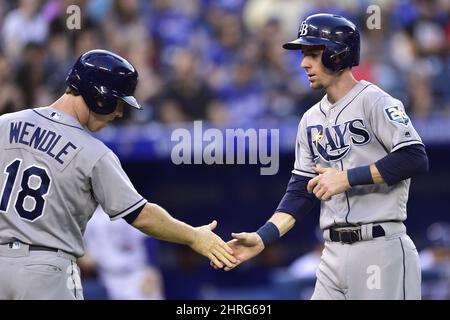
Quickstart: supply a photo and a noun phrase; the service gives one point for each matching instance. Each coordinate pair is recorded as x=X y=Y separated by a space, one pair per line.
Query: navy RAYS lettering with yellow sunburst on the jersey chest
x=333 y=143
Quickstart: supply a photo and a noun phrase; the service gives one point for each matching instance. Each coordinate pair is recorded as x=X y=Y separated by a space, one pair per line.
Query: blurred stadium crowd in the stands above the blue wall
x=220 y=60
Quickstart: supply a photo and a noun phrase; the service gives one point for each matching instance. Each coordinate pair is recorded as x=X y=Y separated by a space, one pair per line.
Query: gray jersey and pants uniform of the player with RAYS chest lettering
x=359 y=129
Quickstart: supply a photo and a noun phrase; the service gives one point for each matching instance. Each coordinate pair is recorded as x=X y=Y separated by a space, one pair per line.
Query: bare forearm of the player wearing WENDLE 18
x=158 y=223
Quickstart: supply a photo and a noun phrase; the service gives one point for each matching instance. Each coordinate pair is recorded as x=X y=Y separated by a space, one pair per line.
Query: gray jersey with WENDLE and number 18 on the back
x=53 y=176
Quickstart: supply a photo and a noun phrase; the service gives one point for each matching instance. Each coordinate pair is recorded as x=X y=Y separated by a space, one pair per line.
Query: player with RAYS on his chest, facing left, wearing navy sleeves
x=356 y=150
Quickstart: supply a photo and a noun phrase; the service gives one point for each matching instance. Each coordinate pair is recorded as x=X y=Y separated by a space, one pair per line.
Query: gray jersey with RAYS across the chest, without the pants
x=359 y=129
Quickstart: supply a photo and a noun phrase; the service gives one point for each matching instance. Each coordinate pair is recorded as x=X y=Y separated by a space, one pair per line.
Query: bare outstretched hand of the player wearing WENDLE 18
x=210 y=245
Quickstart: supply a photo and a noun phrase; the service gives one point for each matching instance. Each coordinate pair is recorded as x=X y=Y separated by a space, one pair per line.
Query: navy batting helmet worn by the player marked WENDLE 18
x=103 y=78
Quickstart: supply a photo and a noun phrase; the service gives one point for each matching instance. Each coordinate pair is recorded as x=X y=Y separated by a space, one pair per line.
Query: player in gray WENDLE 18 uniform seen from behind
x=54 y=174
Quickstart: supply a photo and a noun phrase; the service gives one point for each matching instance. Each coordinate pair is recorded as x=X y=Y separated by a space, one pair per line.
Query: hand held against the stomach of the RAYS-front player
x=328 y=183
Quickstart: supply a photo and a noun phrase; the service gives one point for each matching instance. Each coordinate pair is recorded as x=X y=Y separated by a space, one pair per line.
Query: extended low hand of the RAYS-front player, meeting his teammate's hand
x=245 y=246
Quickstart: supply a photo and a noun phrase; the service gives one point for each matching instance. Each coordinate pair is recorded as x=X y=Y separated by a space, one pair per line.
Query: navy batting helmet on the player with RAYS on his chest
x=337 y=35
